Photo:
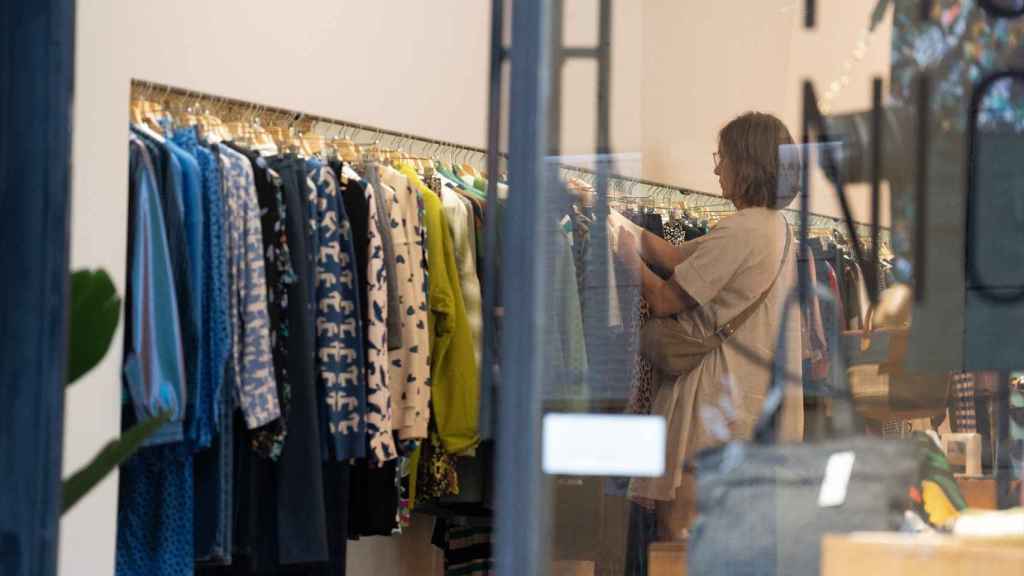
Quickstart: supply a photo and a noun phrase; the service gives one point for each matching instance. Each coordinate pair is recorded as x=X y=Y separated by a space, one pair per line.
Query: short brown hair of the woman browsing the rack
x=762 y=158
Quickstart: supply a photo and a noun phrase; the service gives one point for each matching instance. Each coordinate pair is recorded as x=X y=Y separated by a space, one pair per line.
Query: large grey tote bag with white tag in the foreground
x=762 y=509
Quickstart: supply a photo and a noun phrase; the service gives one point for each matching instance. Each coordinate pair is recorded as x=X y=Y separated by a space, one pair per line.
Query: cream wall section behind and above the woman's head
x=706 y=63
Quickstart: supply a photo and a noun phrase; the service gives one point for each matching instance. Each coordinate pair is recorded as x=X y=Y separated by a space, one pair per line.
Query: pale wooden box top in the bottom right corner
x=889 y=554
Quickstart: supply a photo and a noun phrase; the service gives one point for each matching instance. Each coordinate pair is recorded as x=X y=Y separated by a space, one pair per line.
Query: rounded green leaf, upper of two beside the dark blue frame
x=96 y=309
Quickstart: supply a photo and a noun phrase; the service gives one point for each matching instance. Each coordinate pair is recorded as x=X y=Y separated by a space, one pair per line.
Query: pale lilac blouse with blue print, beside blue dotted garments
x=251 y=361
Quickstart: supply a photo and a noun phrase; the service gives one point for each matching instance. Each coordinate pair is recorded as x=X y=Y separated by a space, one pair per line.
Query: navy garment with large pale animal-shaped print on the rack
x=339 y=334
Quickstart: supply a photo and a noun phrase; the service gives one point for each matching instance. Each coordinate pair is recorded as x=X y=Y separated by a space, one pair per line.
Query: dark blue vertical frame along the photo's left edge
x=36 y=74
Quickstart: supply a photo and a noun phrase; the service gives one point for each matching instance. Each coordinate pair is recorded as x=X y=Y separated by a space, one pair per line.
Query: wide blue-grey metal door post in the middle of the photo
x=520 y=511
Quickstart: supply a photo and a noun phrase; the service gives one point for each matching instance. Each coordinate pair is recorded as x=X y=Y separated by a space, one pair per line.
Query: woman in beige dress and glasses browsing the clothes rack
x=745 y=268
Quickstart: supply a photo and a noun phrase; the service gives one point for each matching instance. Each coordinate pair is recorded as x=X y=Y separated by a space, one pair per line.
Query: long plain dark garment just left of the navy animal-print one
x=302 y=523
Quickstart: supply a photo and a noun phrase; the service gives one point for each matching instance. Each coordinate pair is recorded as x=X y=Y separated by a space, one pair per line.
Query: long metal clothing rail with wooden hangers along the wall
x=622 y=189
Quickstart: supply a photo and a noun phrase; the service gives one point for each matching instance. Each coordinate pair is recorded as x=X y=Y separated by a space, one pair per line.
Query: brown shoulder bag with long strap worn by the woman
x=673 y=352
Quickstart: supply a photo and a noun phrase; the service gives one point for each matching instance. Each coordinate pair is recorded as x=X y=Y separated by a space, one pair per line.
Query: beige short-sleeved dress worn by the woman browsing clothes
x=726 y=272
